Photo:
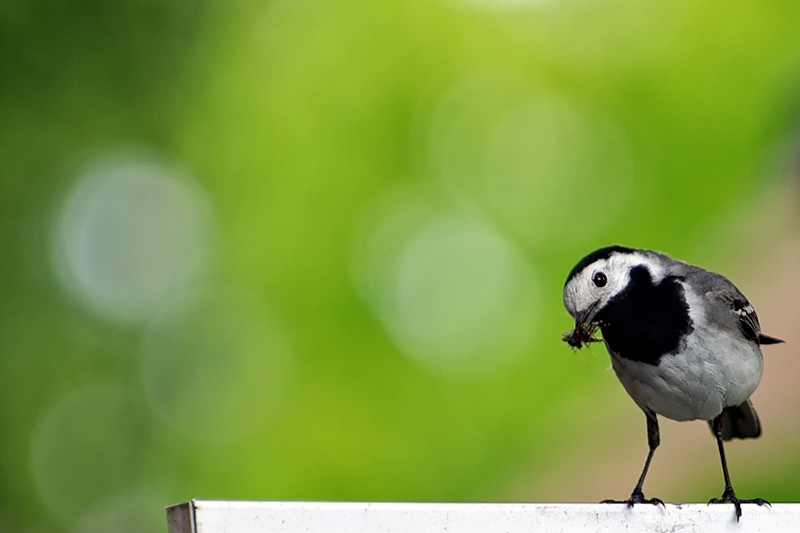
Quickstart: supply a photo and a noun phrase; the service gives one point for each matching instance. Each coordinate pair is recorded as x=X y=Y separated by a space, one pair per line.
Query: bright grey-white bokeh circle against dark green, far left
x=132 y=238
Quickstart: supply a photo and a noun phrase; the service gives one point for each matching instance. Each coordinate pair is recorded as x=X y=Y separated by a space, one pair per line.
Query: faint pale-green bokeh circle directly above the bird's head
x=548 y=167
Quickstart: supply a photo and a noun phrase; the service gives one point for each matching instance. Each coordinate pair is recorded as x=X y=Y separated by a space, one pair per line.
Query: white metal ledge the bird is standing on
x=199 y=516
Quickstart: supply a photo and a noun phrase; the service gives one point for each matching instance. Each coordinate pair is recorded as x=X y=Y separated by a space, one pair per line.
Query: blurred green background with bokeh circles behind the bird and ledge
x=314 y=249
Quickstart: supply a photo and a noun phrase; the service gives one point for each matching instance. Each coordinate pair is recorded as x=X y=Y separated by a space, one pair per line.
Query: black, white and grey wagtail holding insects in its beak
x=684 y=342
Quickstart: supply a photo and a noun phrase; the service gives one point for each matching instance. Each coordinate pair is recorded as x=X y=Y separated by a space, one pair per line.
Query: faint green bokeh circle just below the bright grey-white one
x=218 y=370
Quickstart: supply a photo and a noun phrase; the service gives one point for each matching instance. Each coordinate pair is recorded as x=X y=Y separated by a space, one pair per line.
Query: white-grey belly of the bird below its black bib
x=698 y=382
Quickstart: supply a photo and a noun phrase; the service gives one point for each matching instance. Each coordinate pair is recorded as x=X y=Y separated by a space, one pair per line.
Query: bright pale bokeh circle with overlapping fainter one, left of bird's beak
x=453 y=293
